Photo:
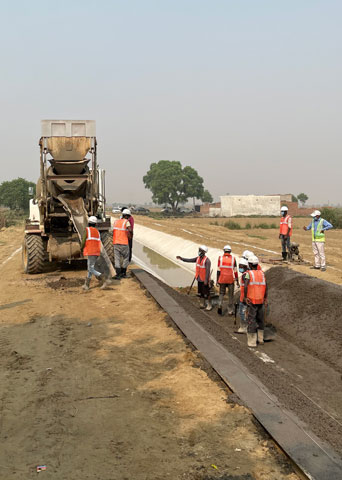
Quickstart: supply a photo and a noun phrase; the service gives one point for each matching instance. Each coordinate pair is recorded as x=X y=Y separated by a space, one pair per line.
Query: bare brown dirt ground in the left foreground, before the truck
x=99 y=385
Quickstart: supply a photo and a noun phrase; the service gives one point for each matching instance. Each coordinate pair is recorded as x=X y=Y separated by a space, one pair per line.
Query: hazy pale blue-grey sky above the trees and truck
x=247 y=92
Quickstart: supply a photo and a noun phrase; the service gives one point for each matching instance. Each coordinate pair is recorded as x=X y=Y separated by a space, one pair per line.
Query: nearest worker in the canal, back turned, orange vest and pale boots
x=255 y=297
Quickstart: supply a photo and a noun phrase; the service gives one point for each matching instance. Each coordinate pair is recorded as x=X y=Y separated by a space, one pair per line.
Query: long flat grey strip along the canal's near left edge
x=315 y=458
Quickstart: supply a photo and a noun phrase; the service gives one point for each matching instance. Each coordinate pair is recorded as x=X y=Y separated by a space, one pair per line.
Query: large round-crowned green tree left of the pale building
x=171 y=184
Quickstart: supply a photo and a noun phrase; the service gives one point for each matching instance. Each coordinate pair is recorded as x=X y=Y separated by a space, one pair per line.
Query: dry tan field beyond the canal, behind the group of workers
x=205 y=230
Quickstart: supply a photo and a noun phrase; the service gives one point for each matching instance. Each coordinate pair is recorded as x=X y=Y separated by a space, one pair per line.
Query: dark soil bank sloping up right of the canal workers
x=308 y=311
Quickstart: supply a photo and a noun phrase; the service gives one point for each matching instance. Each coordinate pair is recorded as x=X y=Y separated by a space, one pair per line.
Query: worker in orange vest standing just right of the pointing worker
x=226 y=274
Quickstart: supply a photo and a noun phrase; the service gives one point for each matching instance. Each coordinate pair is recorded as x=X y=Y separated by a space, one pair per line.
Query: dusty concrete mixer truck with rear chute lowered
x=71 y=187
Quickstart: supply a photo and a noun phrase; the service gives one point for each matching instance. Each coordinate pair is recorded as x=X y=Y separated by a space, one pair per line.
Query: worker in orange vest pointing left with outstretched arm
x=202 y=275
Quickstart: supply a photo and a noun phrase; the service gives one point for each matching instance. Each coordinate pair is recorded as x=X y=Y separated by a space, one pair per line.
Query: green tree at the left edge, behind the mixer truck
x=15 y=194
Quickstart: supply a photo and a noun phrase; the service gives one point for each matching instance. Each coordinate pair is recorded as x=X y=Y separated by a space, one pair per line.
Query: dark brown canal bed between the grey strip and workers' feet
x=302 y=383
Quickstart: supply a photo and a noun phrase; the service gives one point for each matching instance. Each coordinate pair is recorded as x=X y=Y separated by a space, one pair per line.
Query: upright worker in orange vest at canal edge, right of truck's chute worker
x=122 y=232
